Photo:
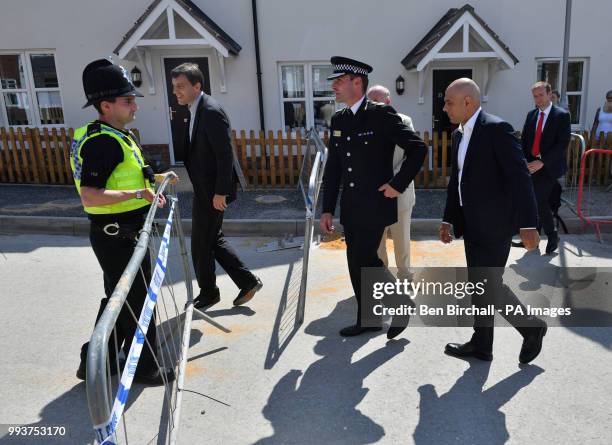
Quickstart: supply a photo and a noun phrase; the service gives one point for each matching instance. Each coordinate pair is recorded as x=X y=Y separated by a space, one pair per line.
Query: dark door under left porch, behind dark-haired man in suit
x=179 y=114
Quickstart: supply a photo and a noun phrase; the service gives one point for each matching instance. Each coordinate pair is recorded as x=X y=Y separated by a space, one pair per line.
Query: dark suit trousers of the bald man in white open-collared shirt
x=487 y=261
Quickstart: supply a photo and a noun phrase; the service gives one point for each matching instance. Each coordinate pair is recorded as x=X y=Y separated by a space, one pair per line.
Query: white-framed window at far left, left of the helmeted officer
x=29 y=90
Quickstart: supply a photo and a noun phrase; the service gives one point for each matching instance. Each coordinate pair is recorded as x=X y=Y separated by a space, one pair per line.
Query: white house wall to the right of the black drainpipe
x=381 y=33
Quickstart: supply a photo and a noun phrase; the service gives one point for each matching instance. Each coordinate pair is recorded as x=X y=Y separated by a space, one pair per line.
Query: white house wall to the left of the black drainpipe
x=83 y=31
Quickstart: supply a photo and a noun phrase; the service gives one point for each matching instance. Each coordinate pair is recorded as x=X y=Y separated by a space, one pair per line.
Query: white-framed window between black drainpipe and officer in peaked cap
x=307 y=99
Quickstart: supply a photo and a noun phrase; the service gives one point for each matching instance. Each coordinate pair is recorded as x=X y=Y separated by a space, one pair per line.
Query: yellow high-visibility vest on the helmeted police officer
x=127 y=175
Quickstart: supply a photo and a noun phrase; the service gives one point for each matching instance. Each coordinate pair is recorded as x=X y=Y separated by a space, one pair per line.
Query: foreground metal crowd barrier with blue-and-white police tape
x=106 y=411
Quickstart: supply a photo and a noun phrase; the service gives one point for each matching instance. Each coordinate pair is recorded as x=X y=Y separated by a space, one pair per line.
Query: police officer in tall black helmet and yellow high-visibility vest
x=116 y=188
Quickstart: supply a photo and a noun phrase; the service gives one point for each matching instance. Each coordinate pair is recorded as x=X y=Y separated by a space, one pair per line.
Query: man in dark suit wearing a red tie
x=546 y=135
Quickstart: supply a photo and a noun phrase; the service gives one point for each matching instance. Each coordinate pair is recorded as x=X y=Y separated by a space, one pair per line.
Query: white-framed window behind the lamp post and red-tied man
x=549 y=70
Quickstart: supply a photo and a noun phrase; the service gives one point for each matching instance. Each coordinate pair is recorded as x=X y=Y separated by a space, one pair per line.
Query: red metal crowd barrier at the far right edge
x=595 y=206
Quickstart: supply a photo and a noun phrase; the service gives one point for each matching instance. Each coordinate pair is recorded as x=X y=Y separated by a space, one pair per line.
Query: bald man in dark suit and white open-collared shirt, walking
x=489 y=198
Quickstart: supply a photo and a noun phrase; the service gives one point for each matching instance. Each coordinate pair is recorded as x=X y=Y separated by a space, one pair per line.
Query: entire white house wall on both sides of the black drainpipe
x=378 y=32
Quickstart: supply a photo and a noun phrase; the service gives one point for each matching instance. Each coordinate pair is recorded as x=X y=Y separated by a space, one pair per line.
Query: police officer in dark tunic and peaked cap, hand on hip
x=361 y=148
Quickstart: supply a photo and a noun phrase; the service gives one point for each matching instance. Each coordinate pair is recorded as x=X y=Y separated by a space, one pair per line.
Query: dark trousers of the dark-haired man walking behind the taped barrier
x=208 y=244
